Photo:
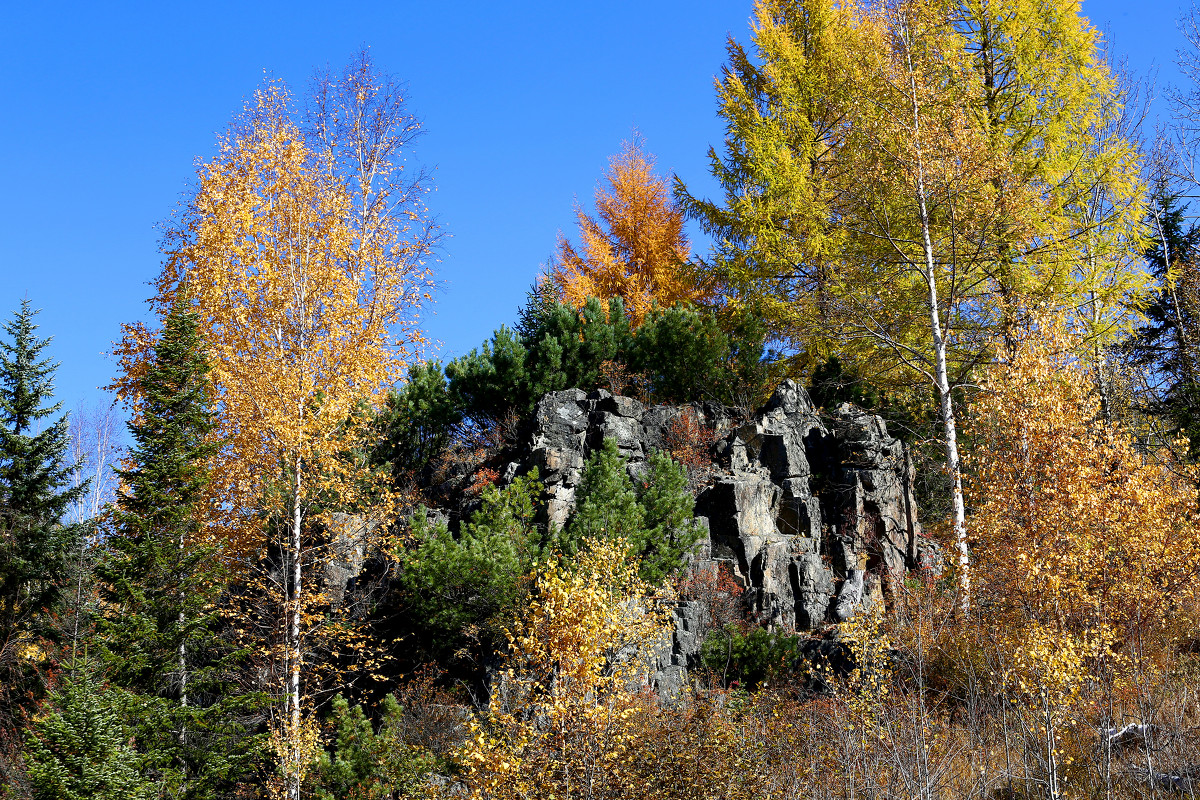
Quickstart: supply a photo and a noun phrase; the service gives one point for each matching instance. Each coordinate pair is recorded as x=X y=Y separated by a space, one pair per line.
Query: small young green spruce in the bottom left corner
x=79 y=749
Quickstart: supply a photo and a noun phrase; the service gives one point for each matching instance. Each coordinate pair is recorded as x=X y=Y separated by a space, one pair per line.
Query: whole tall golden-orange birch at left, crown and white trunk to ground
x=304 y=260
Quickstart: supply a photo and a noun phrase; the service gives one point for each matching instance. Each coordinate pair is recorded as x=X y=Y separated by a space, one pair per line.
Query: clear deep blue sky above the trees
x=107 y=106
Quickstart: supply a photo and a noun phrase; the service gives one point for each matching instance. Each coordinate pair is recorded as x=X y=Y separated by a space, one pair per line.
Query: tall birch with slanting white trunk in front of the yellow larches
x=921 y=218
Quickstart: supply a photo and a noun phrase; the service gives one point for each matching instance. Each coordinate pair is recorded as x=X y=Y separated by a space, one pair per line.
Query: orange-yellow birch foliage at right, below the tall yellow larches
x=1076 y=531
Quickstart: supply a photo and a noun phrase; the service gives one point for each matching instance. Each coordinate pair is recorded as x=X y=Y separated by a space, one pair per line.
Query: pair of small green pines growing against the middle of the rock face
x=655 y=515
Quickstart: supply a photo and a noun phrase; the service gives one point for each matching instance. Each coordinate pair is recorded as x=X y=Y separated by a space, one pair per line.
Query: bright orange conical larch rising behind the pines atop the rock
x=634 y=250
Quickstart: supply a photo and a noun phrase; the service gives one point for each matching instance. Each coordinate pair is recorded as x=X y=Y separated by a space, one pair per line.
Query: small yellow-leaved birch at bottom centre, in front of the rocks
x=562 y=715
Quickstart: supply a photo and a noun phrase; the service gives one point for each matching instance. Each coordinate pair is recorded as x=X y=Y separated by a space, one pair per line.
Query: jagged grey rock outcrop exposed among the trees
x=814 y=516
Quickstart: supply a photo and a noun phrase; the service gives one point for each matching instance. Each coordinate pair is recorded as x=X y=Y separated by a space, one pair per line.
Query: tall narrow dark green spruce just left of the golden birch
x=159 y=584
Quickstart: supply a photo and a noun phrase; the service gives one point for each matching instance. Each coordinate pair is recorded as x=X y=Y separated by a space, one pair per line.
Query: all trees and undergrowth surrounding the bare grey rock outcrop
x=944 y=212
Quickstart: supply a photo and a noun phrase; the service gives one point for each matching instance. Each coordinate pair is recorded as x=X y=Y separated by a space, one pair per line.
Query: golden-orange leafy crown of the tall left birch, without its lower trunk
x=307 y=311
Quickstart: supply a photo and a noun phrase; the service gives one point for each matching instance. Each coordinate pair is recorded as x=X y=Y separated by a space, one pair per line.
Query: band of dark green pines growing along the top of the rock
x=677 y=356
